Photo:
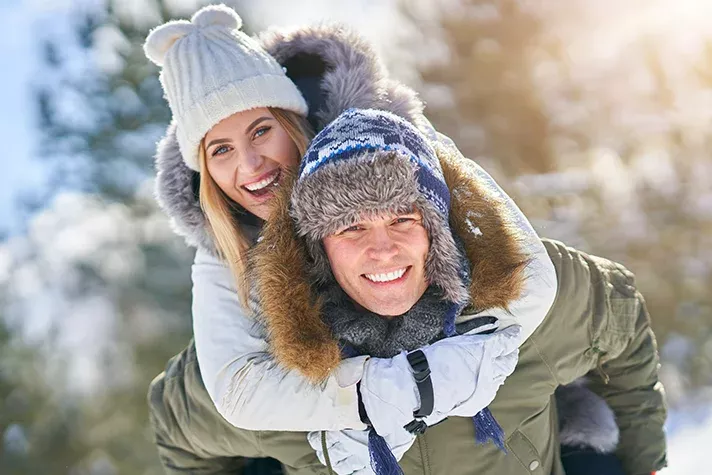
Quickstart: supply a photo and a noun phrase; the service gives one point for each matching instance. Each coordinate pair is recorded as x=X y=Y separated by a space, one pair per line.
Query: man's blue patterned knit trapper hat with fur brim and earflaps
x=368 y=163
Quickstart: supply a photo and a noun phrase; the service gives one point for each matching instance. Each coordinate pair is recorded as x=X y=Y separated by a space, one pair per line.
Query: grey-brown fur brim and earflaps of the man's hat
x=373 y=184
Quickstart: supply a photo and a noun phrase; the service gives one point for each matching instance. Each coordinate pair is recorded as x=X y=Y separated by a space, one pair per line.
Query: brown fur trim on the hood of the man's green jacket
x=292 y=314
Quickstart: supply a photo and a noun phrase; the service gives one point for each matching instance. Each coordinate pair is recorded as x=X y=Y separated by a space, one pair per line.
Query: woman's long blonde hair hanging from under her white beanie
x=230 y=241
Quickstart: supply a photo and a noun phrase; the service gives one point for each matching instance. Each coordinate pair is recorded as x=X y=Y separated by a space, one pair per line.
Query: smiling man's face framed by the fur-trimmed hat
x=380 y=263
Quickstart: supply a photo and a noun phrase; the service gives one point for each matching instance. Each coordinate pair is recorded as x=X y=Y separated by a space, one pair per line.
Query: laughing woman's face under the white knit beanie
x=245 y=155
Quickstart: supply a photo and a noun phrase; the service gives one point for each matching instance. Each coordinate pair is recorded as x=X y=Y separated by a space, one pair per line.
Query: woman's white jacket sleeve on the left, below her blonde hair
x=248 y=389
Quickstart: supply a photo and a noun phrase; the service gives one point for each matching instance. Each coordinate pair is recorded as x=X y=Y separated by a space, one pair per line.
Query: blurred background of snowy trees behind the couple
x=595 y=116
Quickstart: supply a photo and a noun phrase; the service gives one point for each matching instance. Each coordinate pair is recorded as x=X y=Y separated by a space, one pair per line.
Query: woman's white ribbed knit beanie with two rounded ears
x=211 y=70
